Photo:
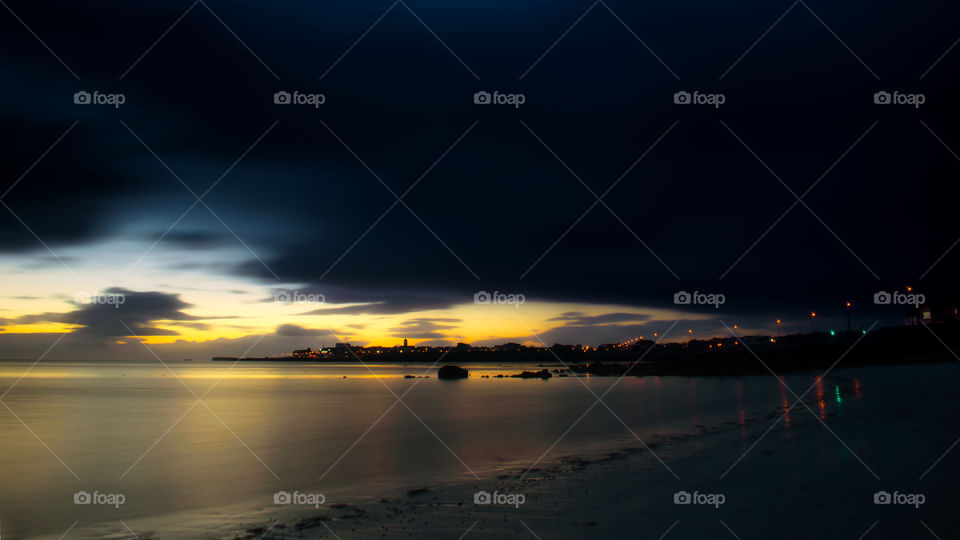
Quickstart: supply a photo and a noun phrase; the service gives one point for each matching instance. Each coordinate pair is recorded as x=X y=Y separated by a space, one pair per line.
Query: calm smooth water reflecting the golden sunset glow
x=137 y=430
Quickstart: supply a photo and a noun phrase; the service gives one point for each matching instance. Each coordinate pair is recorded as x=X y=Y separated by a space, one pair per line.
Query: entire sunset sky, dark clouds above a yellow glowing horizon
x=382 y=212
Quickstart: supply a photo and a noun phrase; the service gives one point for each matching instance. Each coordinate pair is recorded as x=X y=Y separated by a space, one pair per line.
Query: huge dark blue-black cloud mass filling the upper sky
x=495 y=204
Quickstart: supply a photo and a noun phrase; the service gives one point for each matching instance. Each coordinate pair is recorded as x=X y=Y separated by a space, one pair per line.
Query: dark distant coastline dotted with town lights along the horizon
x=718 y=356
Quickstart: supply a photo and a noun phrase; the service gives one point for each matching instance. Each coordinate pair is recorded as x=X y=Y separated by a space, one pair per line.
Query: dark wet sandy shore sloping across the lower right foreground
x=802 y=478
